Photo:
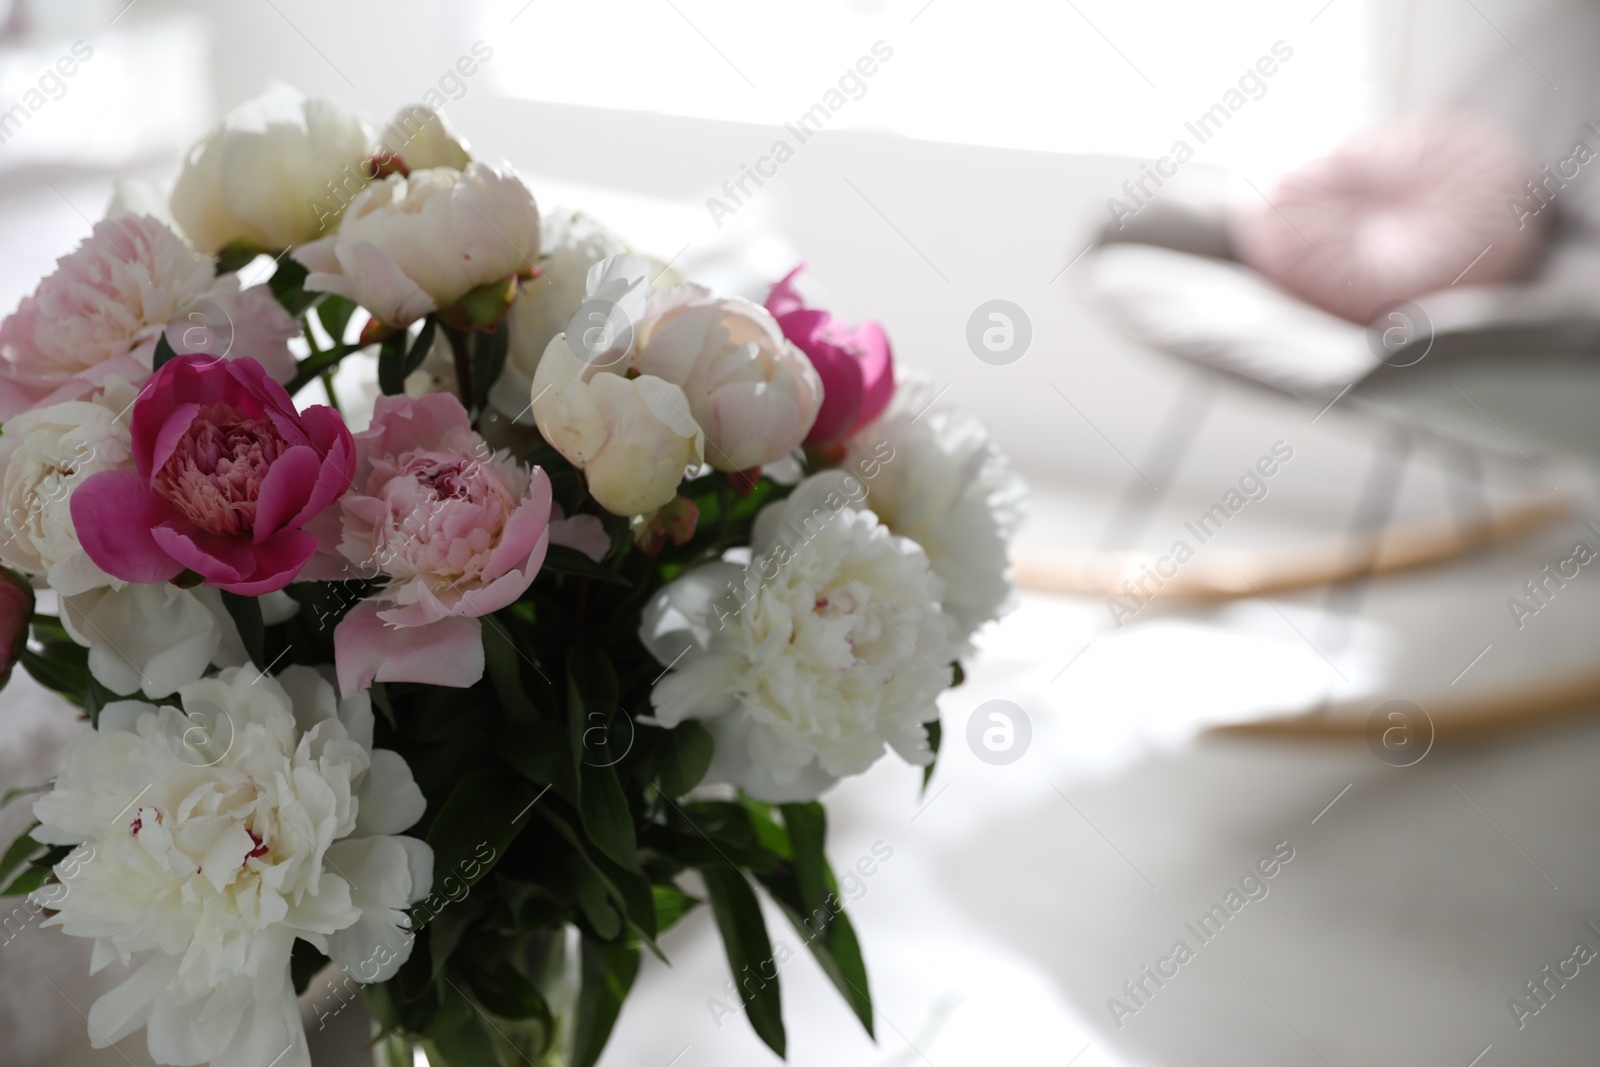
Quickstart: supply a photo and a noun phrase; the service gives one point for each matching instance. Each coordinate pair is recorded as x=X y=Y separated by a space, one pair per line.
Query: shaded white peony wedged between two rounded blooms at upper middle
x=572 y=246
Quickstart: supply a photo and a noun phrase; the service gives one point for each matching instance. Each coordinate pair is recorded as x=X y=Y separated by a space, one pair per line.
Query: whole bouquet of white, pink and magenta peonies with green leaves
x=460 y=604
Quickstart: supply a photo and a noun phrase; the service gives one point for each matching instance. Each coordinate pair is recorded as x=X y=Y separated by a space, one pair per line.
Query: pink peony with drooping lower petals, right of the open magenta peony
x=457 y=530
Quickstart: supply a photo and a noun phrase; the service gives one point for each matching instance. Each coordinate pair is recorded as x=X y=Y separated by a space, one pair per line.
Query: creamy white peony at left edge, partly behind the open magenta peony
x=44 y=455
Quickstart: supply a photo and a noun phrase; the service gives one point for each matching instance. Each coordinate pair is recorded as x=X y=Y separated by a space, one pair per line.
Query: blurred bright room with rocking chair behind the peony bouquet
x=1372 y=660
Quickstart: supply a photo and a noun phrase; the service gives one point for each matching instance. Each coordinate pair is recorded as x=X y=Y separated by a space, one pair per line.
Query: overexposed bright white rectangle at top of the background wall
x=1094 y=76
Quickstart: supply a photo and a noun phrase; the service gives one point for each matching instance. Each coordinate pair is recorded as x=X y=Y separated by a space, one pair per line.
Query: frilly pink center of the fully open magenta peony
x=215 y=474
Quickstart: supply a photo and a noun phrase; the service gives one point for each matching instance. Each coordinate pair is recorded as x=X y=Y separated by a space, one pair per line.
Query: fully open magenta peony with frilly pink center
x=226 y=476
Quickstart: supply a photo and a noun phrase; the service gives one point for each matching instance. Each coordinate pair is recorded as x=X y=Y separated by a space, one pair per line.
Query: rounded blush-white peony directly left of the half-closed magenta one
x=753 y=393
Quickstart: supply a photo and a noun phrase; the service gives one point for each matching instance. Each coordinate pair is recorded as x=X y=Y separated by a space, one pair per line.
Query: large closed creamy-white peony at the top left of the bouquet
x=274 y=175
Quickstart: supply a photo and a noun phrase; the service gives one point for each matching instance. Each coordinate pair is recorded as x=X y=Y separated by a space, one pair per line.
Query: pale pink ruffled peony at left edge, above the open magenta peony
x=108 y=305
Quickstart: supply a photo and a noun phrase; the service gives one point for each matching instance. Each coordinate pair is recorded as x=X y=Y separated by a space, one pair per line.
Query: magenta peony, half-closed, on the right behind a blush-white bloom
x=854 y=362
